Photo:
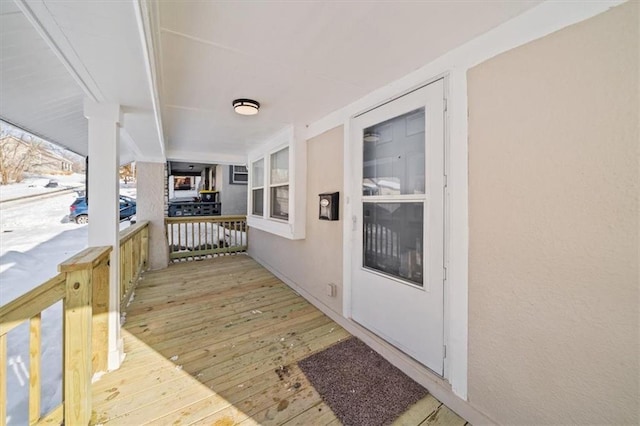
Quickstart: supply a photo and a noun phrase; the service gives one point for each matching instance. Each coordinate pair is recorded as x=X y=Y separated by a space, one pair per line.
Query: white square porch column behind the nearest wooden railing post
x=104 y=208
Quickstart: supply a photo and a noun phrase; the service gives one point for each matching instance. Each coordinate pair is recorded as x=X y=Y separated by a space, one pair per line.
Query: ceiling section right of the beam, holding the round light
x=300 y=60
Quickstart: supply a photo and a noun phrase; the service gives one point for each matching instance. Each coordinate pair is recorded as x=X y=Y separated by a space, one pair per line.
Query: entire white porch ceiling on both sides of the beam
x=175 y=66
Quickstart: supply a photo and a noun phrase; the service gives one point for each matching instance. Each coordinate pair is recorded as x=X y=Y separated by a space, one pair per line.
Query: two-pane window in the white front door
x=393 y=190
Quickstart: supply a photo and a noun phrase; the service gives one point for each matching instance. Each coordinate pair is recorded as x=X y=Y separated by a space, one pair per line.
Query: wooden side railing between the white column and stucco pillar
x=134 y=257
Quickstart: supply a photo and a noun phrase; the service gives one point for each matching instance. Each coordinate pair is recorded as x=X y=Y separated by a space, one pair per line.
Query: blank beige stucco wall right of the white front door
x=553 y=206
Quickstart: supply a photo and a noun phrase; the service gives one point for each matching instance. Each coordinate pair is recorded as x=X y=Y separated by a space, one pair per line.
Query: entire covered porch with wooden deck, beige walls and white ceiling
x=525 y=208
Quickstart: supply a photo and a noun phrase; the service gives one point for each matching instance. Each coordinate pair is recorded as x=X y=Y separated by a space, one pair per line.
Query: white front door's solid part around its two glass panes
x=424 y=340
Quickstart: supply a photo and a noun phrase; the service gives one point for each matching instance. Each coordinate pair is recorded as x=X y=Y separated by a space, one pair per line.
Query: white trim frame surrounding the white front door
x=456 y=242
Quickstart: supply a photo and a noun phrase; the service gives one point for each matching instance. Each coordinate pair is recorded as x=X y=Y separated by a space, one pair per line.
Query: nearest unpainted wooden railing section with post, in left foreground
x=82 y=285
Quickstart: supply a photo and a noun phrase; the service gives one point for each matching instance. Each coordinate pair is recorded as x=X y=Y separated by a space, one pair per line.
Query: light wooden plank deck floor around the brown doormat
x=203 y=343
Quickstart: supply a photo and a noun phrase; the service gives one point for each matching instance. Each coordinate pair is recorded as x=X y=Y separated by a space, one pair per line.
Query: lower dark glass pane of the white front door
x=393 y=239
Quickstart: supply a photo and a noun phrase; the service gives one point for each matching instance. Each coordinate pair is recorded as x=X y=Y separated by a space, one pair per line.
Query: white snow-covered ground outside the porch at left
x=35 y=237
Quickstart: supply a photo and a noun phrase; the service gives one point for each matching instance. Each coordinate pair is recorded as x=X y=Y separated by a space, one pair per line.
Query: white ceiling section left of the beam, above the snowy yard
x=55 y=54
